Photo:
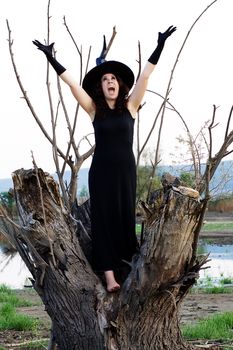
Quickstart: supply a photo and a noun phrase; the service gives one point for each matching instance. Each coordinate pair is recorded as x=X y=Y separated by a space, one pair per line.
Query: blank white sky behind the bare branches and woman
x=203 y=77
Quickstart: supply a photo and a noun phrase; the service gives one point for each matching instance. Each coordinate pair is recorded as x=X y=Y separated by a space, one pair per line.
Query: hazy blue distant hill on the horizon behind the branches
x=222 y=182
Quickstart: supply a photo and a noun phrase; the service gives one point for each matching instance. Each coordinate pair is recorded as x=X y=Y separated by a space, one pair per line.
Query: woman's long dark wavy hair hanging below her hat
x=100 y=102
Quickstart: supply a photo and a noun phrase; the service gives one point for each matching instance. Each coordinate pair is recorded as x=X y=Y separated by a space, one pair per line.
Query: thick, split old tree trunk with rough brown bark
x=144 y=314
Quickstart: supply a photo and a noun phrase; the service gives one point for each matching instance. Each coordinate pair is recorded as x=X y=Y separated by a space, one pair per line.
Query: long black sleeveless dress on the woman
x=112 y=187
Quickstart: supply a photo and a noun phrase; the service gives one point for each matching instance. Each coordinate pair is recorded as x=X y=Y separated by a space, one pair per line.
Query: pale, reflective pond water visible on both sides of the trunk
x=14 y=273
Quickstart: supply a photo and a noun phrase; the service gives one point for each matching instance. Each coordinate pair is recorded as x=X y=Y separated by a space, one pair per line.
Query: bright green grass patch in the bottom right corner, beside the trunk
x=218 y=327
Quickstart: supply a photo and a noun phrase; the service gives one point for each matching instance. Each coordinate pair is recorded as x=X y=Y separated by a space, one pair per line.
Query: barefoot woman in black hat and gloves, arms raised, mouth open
x=104 y=95
